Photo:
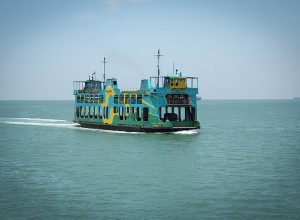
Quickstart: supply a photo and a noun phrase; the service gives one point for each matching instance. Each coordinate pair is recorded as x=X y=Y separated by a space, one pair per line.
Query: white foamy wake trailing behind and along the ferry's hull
x=59 y=123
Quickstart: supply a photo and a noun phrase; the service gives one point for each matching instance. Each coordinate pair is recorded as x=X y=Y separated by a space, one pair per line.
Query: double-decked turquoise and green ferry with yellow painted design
x=161 y=104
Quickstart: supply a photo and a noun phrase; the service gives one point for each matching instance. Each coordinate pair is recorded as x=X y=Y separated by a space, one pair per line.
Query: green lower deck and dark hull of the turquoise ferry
x=137 y=119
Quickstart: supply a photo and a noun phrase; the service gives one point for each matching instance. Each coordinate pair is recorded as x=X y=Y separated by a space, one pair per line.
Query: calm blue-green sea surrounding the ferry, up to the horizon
x=244 y=163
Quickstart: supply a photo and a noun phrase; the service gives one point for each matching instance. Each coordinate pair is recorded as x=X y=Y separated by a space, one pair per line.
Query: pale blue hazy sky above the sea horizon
x=238 y=49
